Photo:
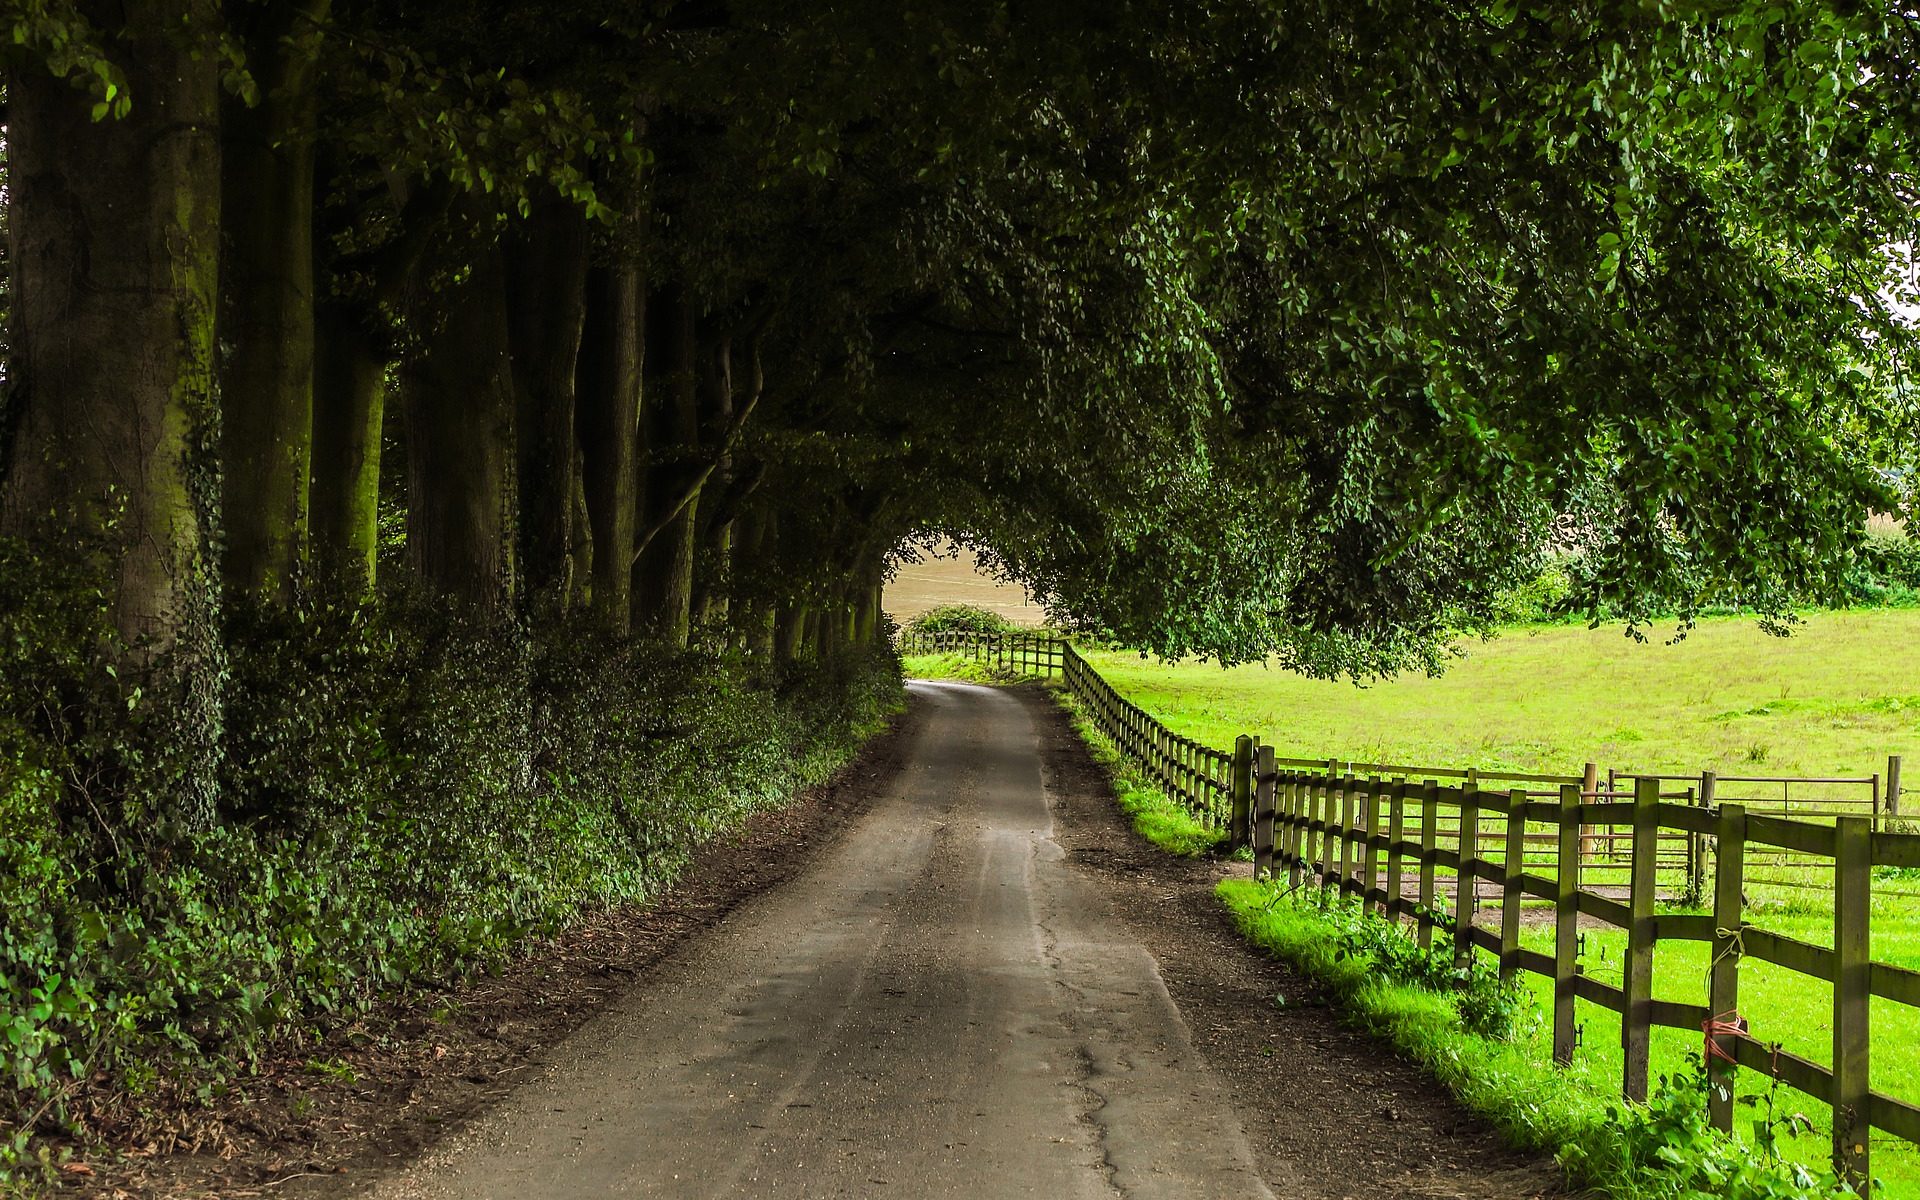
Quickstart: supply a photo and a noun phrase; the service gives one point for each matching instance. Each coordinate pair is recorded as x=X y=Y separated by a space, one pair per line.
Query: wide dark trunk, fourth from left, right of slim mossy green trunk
x=460 y=446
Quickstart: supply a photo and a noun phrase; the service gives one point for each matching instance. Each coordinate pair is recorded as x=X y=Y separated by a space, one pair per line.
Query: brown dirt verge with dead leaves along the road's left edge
x=395 y=1082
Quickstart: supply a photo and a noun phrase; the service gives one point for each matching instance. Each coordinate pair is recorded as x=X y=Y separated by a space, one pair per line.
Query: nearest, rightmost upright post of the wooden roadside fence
x=1854 y=898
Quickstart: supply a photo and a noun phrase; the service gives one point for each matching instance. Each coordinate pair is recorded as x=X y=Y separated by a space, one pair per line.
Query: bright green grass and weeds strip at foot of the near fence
x=1470 y=1032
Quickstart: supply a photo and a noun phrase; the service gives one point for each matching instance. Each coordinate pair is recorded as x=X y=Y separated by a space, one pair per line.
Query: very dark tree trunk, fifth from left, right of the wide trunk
x=546 y=283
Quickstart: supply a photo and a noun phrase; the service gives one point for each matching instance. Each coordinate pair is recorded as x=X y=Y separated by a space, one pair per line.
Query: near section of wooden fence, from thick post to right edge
x=1358 y=836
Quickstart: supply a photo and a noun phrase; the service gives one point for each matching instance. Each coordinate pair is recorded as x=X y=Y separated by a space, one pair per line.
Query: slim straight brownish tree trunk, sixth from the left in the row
x=610 y=435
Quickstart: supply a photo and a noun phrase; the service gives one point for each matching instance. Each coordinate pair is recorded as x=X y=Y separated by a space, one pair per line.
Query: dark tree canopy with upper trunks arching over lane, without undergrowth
x=1236 y=329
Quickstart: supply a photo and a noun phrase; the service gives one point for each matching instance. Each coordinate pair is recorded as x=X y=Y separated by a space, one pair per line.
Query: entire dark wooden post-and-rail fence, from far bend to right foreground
x=1462 y=853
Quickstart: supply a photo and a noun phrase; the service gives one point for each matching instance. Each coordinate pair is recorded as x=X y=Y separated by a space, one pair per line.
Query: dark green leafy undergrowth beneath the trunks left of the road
x=402 y=798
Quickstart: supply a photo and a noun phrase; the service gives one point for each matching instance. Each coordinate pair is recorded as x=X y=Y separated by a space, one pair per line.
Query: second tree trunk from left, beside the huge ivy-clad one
x=268 y=304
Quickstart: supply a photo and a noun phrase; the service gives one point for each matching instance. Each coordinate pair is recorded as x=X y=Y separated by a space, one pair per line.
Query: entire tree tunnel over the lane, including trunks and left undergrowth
x=441 y=421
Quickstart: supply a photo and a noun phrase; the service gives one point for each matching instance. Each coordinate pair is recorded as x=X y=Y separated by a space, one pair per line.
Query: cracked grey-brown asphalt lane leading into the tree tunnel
x=940 y=1007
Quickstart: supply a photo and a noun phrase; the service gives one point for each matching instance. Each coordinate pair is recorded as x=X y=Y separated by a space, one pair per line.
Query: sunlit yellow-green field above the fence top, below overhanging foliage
x=1833 y=700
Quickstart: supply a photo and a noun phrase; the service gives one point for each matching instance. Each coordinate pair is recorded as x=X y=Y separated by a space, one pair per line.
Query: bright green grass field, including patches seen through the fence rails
x=1833 y=700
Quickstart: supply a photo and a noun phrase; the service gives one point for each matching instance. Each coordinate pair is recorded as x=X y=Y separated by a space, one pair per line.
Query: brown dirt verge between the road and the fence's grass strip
x=1330 y=1111
